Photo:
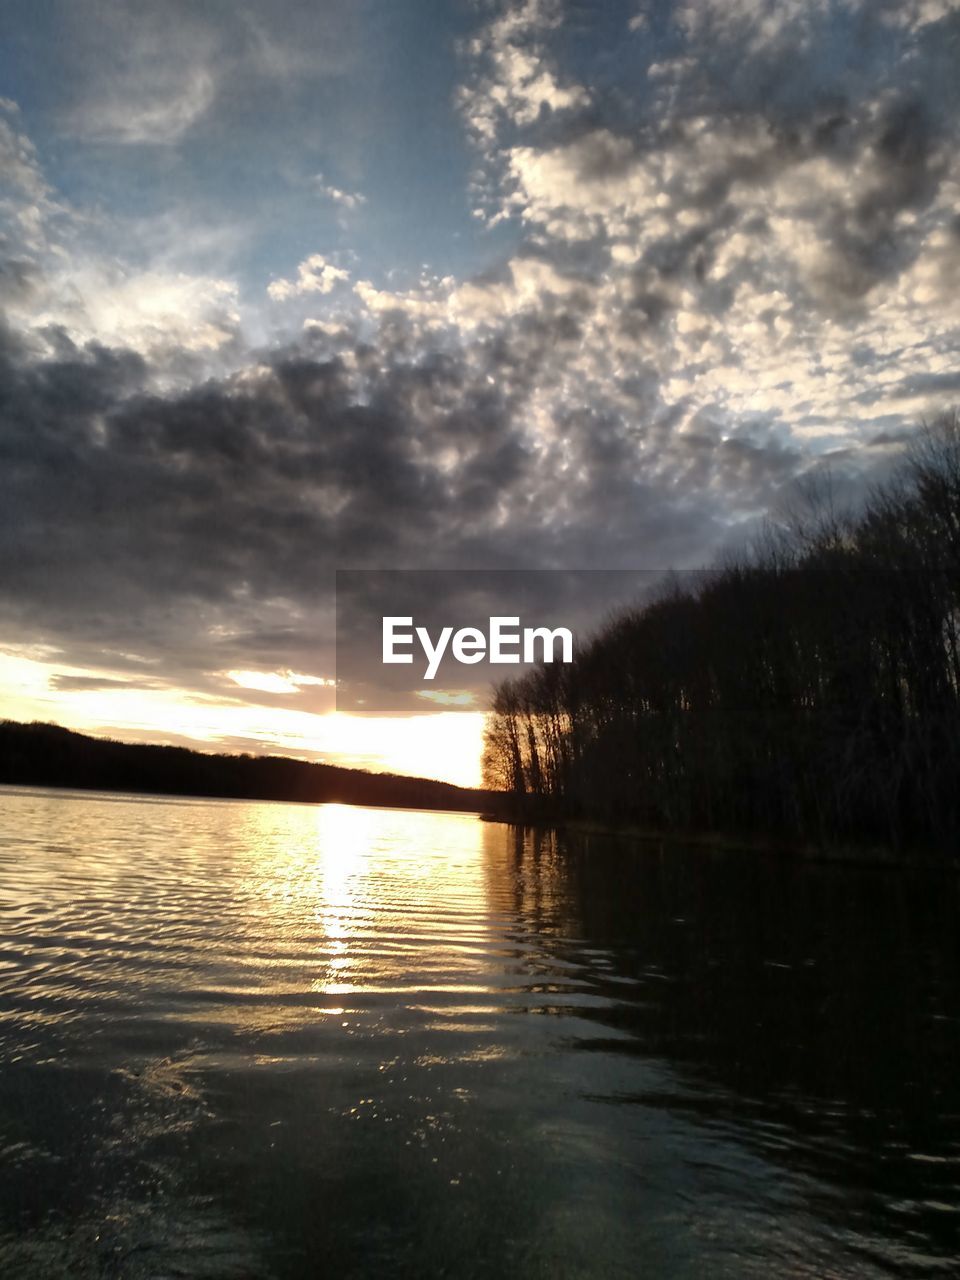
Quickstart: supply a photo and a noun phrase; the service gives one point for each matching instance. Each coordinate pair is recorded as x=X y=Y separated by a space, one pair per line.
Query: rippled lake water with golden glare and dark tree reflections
x=248 y=1040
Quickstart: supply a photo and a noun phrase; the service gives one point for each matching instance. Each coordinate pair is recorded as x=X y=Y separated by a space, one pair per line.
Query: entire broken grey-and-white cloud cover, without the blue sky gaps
x=728 y=243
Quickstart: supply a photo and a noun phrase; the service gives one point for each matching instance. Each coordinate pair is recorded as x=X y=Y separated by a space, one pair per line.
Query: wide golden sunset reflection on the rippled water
x=296 y=917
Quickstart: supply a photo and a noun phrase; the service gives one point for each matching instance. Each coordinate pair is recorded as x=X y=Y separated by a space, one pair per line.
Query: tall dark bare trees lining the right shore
x=807 y=689
